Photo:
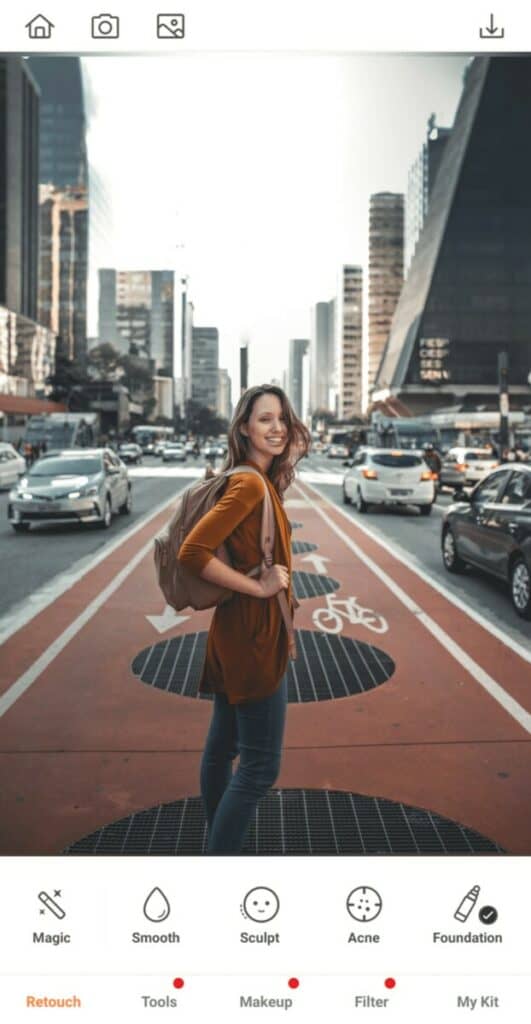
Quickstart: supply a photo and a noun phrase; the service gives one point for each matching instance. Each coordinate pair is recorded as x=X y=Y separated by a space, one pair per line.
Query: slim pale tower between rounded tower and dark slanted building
x=421 y=181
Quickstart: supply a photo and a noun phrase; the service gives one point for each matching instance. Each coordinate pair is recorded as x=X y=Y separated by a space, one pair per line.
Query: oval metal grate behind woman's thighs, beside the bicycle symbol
x=329 y=667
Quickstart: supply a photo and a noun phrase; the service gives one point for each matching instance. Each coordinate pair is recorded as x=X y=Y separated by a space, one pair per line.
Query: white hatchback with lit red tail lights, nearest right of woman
x=387 y=477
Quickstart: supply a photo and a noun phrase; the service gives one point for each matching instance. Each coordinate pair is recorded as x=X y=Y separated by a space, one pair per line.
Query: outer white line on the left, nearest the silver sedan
x=51 y=591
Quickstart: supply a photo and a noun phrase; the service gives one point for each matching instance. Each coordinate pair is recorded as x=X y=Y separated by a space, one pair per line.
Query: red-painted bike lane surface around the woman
x=84 y=743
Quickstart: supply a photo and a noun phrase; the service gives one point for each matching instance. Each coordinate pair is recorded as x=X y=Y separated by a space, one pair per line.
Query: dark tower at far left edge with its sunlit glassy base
x=27 y=349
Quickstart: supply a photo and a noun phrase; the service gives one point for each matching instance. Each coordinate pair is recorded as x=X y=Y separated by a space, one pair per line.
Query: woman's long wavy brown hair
x=282 y=471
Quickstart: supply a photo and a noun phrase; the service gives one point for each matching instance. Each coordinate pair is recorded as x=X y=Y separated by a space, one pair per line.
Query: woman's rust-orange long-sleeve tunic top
x=247 y=647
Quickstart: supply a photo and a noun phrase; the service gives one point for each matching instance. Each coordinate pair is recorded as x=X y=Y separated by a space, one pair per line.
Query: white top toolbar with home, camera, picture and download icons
x=284 y=26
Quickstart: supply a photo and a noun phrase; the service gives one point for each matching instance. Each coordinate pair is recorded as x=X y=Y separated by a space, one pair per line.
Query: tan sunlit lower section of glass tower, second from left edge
x=63 y=267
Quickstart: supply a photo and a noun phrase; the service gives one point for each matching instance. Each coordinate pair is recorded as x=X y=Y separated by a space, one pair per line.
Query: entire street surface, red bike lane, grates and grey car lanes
x=410 y=697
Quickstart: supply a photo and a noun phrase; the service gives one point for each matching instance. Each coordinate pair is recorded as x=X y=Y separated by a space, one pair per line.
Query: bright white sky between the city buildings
x=262 y=166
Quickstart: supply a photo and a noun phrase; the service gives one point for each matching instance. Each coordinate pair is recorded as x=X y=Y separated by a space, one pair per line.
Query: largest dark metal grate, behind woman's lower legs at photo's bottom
x=293 y=823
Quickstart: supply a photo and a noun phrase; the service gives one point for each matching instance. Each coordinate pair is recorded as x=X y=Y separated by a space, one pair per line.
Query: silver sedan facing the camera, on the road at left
x=74 y=486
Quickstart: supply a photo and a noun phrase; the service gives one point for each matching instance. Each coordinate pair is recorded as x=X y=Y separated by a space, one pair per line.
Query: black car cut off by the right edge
x=491 y=528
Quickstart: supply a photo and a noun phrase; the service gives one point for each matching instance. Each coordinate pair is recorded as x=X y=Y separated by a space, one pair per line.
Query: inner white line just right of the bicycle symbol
x=490 y=685
